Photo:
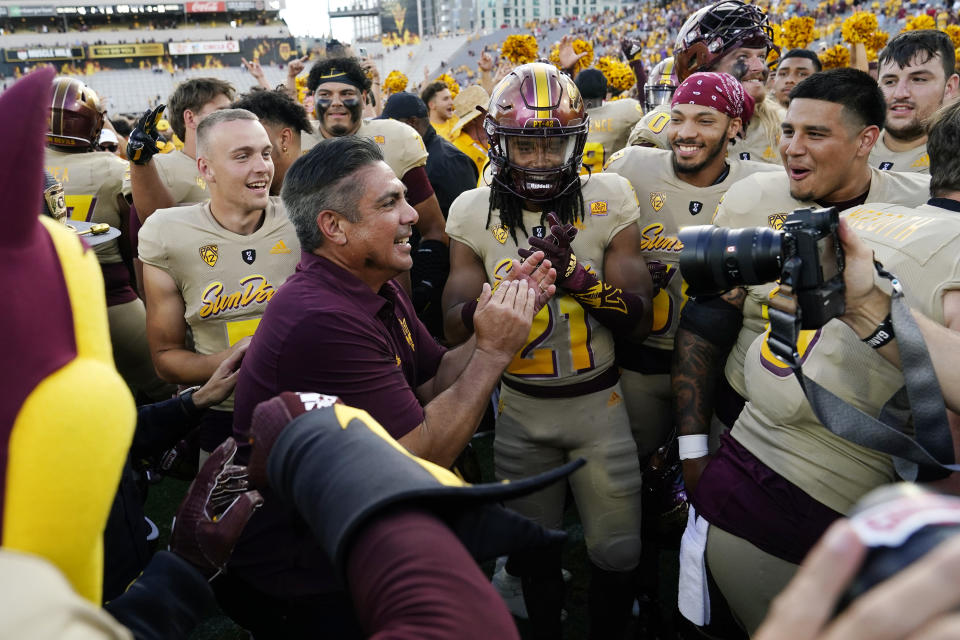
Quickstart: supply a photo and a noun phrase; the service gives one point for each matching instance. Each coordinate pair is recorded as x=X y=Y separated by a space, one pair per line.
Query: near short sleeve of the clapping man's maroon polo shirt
x=326 y=353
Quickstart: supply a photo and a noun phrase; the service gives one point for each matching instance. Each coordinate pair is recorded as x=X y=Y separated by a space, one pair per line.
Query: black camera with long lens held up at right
x=805 y=254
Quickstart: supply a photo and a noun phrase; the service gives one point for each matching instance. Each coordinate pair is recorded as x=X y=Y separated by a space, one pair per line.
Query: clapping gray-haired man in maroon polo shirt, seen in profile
x=342 y=325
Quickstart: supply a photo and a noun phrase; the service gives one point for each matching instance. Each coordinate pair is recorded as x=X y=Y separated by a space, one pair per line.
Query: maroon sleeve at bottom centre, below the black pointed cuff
x=411 y=579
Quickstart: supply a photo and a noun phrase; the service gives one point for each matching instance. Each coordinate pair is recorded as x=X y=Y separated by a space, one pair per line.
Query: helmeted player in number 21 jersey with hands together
x=561 y=397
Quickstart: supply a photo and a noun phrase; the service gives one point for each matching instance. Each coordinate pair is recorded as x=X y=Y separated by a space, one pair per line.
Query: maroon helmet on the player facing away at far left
x=76 y=117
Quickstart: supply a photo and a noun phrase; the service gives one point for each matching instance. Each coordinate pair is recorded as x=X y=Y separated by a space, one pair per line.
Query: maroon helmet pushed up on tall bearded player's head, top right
x=714 y=30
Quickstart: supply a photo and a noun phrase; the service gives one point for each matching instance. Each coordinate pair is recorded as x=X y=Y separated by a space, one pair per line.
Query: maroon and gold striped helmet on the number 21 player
x=537 y=126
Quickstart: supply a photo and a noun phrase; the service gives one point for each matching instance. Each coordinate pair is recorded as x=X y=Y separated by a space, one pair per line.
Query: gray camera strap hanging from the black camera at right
x=920 y=398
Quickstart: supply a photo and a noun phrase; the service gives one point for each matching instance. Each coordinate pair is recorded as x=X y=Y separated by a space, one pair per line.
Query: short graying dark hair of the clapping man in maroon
x=323 y=179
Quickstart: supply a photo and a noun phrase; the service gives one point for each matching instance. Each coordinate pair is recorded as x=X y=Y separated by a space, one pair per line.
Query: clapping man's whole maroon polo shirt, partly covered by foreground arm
x=325 y=331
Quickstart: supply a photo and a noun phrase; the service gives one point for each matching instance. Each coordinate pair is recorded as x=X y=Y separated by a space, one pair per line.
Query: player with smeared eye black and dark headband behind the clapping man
x=340 y=87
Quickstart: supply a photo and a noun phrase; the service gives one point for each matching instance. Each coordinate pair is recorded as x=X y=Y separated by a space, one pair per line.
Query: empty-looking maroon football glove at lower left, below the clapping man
x=214 y=512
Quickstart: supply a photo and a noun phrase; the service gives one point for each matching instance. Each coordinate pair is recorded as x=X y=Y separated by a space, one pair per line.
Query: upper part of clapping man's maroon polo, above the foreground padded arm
x=326 y=331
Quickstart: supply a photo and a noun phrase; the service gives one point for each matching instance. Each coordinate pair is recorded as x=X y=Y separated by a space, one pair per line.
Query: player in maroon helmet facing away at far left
x=92 y=188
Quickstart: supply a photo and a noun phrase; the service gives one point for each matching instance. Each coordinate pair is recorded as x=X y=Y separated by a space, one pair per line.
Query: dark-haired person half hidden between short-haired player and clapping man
x=285 y=120
